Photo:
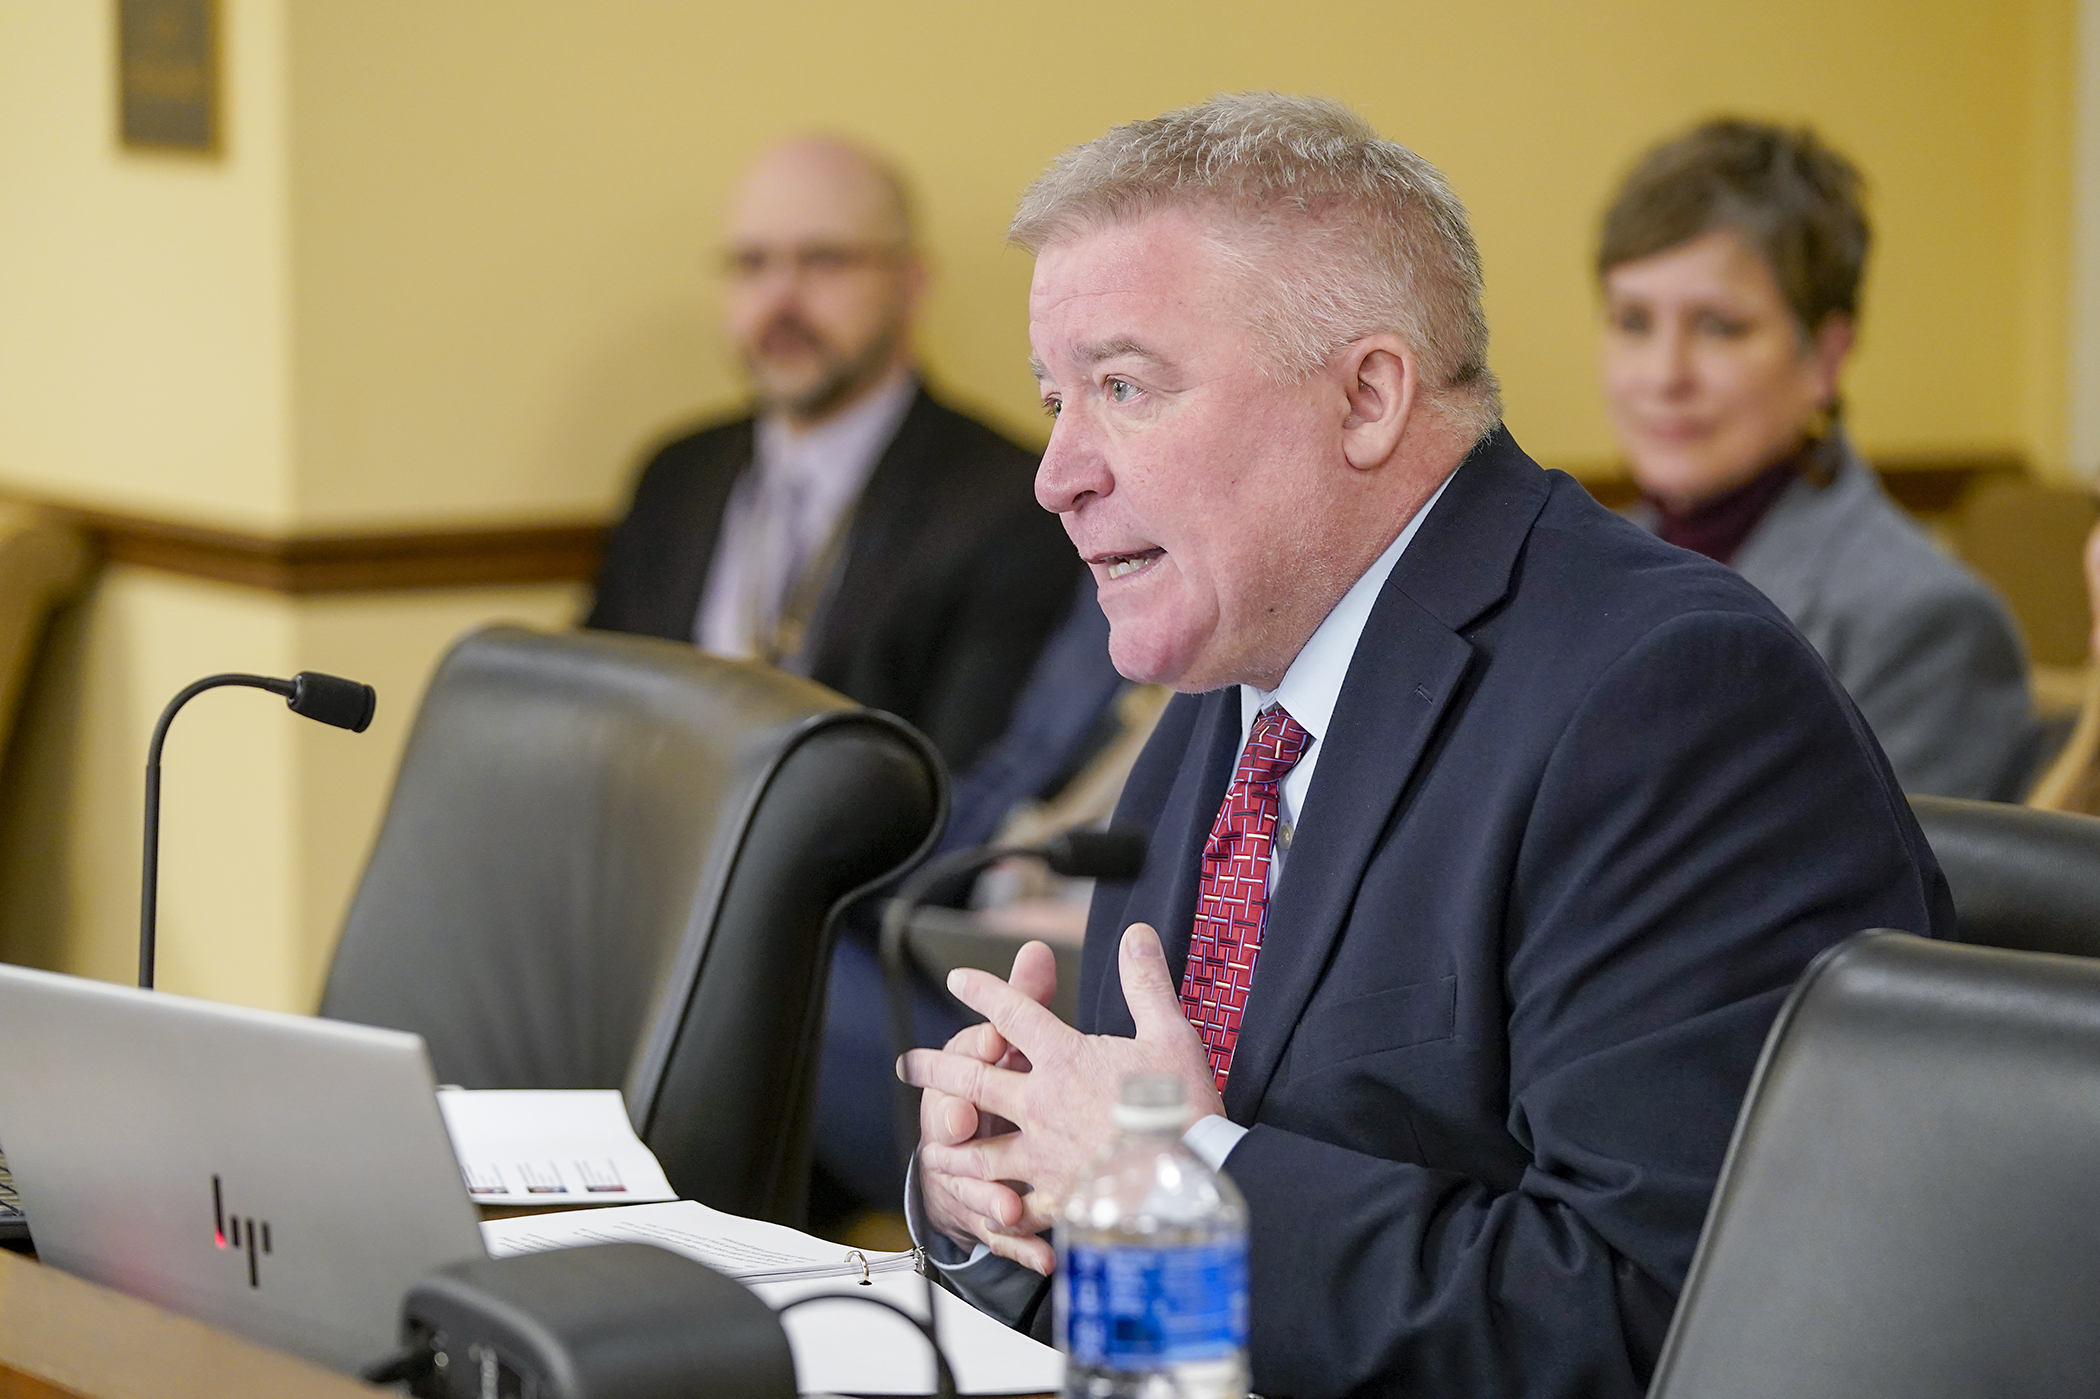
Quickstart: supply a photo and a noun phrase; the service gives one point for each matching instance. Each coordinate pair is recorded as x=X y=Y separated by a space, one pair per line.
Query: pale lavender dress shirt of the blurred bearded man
x=782 y=514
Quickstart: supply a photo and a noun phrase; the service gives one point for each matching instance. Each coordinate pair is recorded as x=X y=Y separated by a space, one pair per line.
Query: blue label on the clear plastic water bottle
x=1150 y=1308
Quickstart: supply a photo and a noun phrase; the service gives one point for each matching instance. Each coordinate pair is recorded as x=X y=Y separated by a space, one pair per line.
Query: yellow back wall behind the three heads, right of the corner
x=505 y=213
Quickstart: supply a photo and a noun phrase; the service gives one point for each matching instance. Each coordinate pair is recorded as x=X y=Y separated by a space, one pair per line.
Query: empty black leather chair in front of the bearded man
x=616 y=862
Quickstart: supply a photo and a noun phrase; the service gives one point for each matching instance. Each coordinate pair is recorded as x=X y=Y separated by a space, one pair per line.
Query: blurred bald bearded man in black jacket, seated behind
x=854 y=530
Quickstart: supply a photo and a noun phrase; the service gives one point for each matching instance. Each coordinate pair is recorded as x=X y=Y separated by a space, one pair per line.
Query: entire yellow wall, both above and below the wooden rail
x=457 y=268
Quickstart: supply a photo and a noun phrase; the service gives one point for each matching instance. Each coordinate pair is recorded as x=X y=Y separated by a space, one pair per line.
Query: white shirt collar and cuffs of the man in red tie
x=1309 y=692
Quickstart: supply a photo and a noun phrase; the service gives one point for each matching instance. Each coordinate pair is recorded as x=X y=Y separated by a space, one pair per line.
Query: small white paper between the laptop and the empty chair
x=551 y=1146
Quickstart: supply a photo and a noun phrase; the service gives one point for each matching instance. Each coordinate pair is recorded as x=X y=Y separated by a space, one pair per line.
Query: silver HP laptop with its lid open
x=282 y=1177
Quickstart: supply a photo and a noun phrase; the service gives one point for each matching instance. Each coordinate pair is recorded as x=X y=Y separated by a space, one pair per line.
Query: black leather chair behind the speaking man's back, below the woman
x=2023 y=879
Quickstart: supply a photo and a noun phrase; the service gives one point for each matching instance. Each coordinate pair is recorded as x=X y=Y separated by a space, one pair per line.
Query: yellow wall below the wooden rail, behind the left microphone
x=266 y=816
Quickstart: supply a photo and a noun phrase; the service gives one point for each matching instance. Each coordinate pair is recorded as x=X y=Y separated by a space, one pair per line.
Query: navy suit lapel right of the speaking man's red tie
x=1402 y=684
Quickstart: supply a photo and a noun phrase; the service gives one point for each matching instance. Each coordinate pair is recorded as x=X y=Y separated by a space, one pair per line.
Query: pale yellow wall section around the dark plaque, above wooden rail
x=144 y=320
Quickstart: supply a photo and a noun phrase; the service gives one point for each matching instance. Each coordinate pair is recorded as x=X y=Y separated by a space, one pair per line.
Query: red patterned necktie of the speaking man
x=1236 y=888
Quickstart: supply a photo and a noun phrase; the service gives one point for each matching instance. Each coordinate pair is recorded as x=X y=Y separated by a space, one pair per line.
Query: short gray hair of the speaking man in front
x=1345 y=234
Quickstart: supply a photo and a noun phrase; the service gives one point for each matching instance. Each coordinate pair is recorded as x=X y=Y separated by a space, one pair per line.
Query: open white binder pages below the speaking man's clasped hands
x=839 y=1348
